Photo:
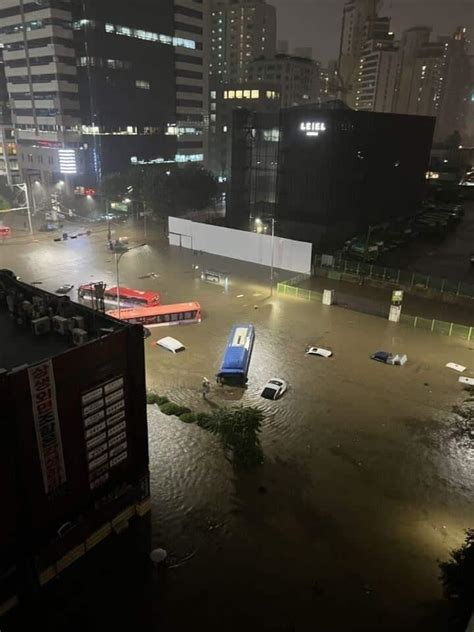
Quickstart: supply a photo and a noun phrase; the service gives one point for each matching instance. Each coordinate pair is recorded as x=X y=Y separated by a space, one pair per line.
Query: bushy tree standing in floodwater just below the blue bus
x=238 y=430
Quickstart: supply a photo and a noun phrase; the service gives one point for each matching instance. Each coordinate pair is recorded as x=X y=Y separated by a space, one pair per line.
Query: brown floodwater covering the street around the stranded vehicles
x=363 y=489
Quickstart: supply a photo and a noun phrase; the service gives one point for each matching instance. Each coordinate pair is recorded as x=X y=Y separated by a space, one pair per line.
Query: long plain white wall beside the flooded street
x=239 y=244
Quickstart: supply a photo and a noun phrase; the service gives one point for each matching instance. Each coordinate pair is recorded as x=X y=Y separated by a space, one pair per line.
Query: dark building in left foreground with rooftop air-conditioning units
x=73 y=434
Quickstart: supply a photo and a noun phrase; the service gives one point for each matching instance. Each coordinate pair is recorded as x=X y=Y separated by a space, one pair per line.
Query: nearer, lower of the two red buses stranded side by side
x=178 y=314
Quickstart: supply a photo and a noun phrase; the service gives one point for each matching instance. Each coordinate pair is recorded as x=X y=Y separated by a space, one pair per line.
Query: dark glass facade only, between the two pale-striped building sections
x=126 y=80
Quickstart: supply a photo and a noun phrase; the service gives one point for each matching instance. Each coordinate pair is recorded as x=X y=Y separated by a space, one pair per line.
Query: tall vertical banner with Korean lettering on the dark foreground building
x=48 y=429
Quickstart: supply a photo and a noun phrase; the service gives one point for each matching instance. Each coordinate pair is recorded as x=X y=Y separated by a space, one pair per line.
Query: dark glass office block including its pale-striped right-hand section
x=129 y=59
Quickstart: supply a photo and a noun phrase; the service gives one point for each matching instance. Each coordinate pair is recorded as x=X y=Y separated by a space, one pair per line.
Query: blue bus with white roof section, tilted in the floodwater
x=236 y=360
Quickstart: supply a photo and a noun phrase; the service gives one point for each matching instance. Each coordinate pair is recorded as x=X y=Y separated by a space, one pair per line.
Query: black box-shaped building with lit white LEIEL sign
x=327 y=172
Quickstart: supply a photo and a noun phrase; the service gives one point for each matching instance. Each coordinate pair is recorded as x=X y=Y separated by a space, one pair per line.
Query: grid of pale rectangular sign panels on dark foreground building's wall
x=104 y=419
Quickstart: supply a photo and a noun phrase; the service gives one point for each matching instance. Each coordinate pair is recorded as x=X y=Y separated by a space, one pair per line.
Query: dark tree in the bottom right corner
x=457 y=577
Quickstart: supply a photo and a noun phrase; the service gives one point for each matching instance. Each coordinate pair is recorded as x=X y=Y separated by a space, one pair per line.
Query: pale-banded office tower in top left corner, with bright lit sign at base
x=42 y=84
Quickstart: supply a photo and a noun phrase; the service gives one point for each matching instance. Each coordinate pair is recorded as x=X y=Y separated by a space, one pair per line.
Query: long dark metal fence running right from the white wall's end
x=392 y=276
